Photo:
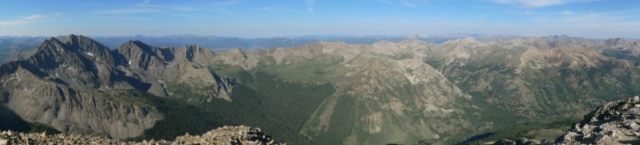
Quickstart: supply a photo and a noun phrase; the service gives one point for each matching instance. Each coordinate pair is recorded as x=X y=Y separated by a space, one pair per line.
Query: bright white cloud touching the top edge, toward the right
x=539 y=3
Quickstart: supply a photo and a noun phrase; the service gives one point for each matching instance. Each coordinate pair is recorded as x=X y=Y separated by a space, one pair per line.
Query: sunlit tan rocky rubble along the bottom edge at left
x=224 y=135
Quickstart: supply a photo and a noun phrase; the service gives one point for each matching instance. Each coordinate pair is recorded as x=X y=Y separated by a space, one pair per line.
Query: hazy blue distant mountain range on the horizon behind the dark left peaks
x=14 y=44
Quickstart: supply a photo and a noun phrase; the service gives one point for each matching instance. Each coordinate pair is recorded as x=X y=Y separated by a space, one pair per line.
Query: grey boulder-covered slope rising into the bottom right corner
x=614 y=123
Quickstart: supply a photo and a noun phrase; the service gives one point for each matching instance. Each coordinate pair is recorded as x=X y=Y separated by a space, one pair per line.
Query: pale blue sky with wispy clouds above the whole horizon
x=270 y=18
